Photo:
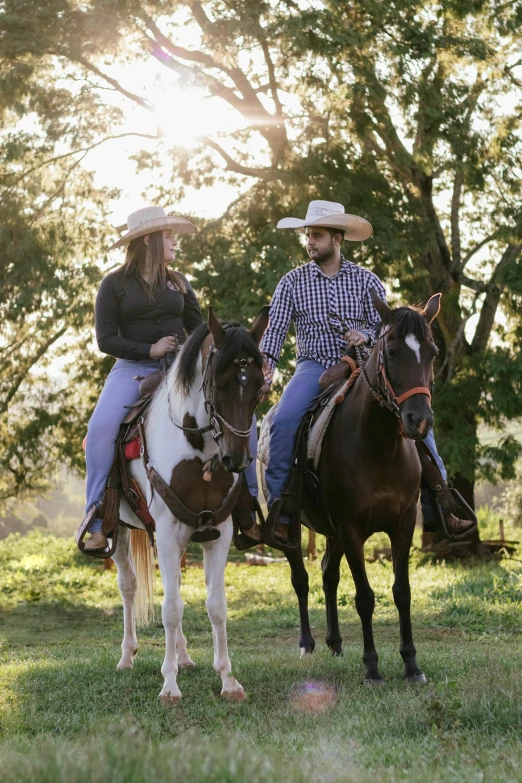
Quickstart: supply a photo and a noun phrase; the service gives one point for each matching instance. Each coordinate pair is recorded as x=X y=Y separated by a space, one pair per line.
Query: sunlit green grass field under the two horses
x=66 y=714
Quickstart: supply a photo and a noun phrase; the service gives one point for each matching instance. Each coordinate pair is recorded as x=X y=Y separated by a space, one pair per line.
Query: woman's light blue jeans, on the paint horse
x=120 y=390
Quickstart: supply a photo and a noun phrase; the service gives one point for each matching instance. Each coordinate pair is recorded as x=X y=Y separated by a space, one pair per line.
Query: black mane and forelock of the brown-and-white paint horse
x=236 y=339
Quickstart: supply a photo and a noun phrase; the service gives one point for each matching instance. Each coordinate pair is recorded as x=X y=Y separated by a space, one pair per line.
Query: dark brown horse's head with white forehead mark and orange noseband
x=406 y=359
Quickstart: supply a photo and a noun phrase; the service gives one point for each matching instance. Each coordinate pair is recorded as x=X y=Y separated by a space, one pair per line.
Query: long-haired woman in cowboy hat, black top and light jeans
x=143 y=311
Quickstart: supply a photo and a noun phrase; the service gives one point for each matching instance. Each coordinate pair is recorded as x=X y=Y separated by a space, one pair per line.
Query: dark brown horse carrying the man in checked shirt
x=370 y=478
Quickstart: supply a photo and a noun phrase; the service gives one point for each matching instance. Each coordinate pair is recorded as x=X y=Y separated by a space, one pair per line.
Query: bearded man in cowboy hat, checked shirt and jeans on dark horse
x=308 y=295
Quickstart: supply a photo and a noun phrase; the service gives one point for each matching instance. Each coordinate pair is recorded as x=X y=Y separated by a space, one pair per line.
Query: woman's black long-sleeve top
x=128 y=322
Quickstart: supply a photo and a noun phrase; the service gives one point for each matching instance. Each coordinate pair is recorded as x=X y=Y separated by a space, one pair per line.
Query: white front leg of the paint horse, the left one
x=171 y=540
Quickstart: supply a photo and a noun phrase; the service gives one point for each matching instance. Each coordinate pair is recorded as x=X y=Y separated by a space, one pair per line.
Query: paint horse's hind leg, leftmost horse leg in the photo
x=127 y=584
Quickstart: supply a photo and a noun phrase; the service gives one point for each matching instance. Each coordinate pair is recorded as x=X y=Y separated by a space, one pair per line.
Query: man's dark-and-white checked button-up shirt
x=306 y=296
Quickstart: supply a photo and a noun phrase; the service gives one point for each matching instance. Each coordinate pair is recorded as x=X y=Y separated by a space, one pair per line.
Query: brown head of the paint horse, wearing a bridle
x=233 y=378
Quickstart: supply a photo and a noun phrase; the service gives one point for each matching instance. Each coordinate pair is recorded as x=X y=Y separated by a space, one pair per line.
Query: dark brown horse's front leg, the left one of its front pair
x=364 y=603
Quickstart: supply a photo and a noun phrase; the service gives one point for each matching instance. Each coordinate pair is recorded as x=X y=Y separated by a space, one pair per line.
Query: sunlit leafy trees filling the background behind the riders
x=409 y=113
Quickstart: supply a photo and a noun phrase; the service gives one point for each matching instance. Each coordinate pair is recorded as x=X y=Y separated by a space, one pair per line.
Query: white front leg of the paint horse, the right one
x=215 y=555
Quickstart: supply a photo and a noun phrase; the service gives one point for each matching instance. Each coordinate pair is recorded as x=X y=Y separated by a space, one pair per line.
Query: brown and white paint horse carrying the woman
x=179 y=456
